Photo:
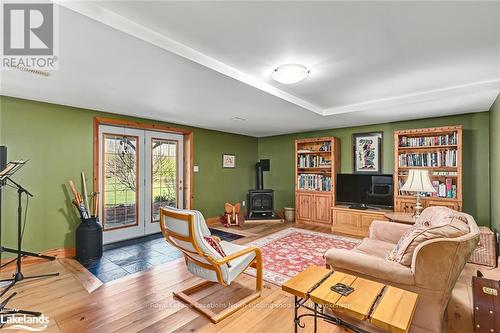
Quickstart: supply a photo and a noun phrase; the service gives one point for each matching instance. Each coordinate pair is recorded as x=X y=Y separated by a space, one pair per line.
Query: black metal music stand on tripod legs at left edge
x=18 y=275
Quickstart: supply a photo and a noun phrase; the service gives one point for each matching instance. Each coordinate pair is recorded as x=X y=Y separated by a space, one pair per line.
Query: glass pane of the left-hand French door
x=120 y=181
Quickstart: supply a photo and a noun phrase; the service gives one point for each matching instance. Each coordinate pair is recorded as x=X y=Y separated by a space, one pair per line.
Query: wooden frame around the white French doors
x=188 y=135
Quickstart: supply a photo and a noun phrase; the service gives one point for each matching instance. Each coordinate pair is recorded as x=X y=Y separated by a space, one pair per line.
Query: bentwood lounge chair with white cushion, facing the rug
x=185 y=229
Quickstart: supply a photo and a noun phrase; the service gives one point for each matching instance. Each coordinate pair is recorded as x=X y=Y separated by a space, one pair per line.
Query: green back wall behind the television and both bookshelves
x=280 y=149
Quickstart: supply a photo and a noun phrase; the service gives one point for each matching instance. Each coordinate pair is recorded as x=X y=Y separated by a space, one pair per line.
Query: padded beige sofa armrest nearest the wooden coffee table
x=369 y=266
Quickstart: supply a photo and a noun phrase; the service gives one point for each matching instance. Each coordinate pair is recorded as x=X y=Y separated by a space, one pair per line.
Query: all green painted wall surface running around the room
x=58 y=141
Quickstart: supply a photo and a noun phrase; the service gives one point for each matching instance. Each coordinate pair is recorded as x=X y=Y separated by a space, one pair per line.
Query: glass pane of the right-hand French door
x=164 y=175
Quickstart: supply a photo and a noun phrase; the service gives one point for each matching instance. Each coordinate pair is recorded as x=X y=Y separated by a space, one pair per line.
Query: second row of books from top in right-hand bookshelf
x=446 y=158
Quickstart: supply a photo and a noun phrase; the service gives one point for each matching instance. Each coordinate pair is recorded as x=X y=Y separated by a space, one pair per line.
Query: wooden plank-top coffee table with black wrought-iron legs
x=371 y=307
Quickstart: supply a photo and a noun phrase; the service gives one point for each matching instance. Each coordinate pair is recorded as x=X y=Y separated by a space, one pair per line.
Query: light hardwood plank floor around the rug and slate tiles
x=143 y=302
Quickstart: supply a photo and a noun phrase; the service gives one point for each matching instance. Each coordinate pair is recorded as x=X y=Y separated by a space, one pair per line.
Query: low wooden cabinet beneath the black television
x=355 y=222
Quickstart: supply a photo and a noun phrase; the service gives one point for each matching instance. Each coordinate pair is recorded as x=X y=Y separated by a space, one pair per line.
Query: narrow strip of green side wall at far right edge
x=495 y=164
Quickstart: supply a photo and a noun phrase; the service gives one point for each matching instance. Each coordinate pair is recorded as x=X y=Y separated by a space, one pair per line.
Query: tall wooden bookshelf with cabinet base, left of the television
x=315 y=193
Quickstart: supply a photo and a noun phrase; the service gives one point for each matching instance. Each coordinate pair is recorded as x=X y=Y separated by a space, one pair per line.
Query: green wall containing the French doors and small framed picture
x=58 y=141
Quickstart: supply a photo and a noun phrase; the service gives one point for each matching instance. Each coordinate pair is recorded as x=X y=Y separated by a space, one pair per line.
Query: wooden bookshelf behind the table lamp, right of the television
x=415 y=146
